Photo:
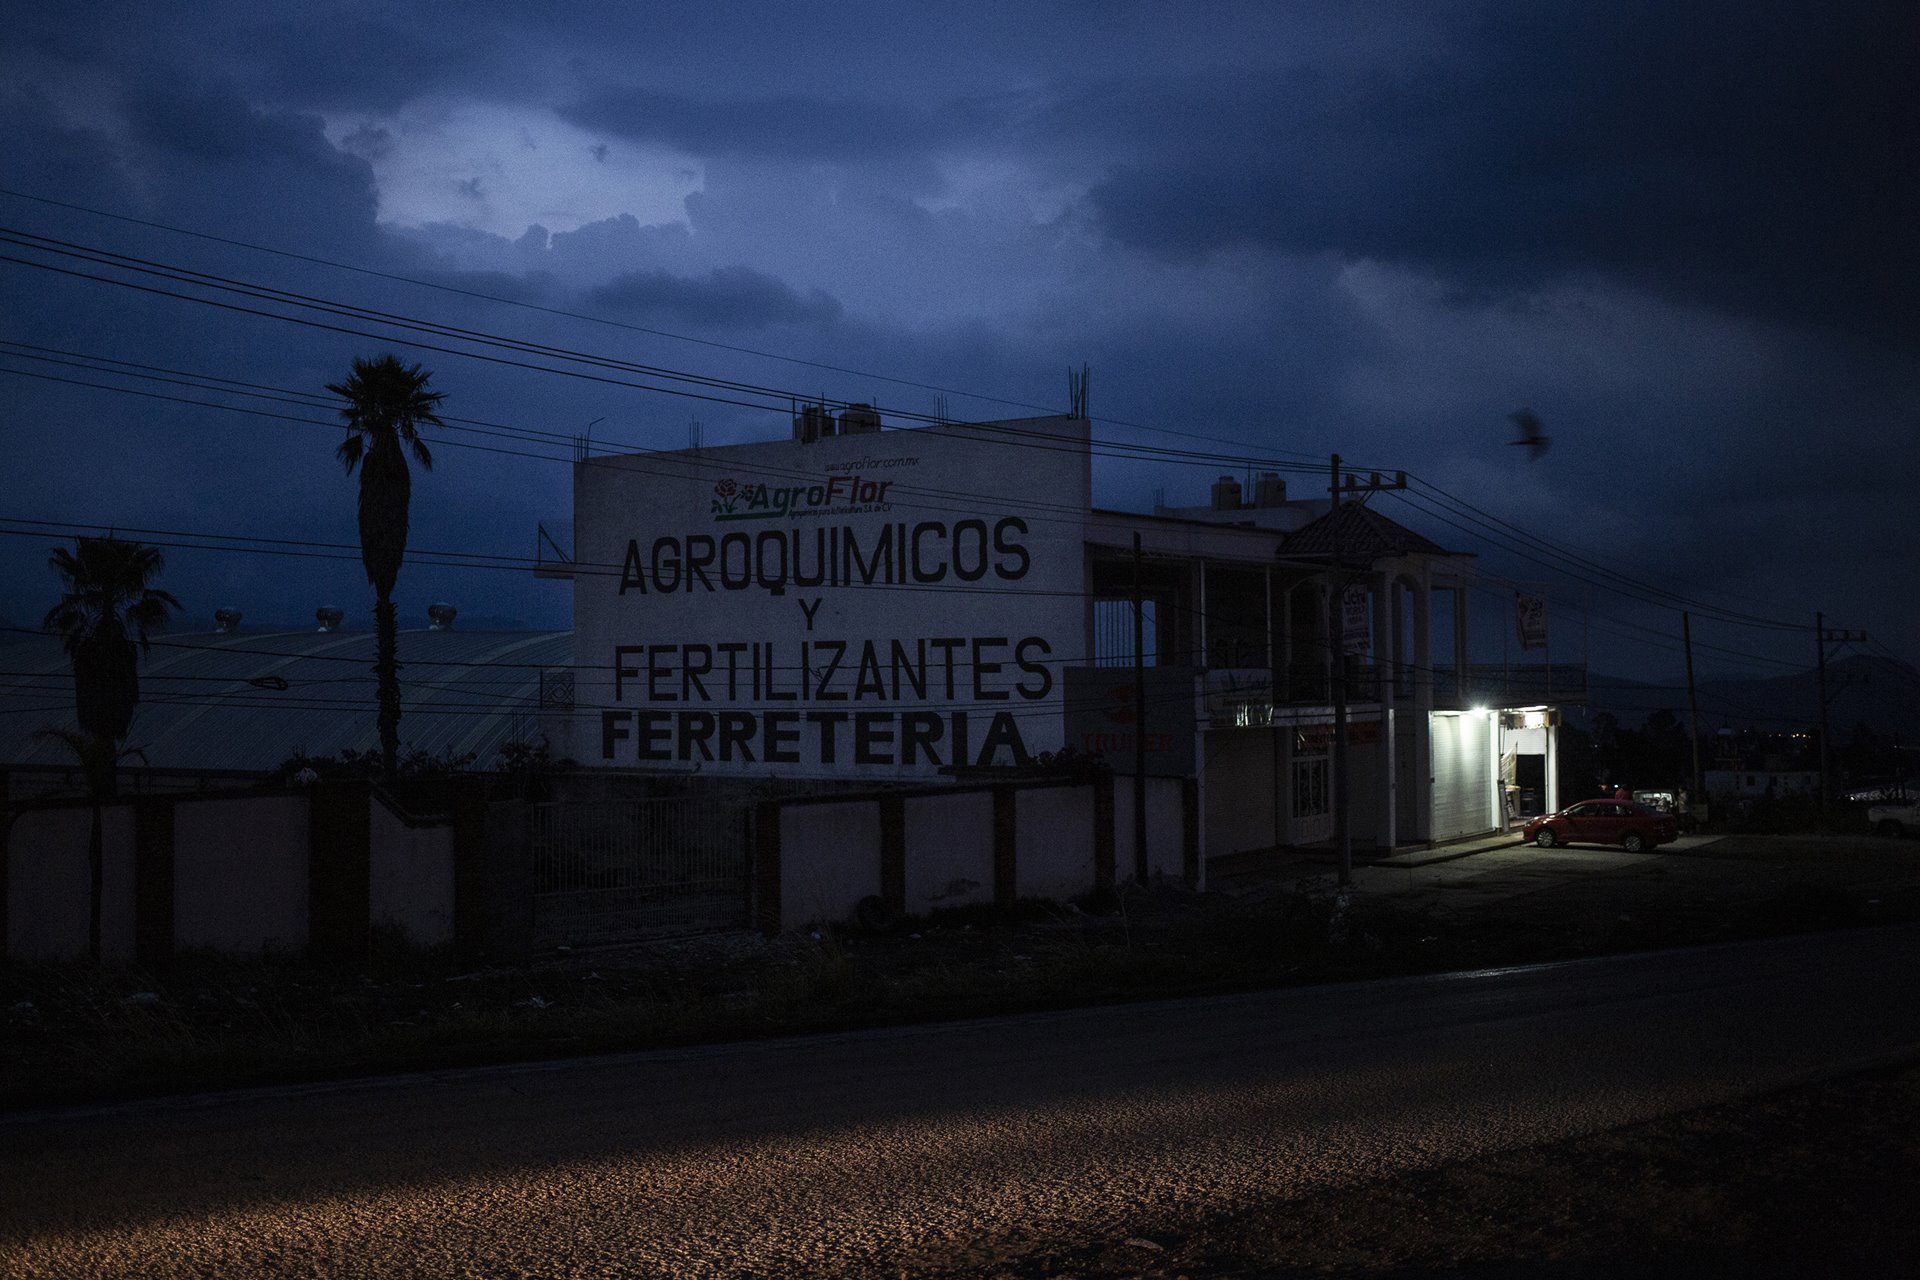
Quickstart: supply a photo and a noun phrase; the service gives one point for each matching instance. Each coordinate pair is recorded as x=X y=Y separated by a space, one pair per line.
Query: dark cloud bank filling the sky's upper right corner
x=1756 y=160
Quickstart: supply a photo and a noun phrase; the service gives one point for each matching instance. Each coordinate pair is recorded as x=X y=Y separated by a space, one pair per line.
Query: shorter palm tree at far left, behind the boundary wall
x=107 y=611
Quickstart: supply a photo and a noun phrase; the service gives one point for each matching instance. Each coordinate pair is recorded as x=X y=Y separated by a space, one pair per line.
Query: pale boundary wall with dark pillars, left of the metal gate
x=314 y=870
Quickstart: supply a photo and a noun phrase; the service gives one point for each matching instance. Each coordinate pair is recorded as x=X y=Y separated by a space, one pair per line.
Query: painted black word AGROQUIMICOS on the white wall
x=898 y=554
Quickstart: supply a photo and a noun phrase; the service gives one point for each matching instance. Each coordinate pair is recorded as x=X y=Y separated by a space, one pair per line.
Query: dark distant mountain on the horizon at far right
x=1865 y=690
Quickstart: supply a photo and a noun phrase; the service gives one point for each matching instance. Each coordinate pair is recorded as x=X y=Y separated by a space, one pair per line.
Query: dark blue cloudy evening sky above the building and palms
x=1683 y=233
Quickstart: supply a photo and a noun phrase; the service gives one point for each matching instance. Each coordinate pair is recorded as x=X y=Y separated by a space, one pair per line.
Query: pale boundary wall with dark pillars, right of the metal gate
x=917 y=851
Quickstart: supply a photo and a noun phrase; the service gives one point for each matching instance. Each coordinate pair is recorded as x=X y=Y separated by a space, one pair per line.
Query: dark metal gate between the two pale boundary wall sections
x=629 y=870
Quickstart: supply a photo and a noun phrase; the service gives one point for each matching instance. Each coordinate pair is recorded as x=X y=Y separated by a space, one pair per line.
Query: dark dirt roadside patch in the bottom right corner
x=1815 y=1181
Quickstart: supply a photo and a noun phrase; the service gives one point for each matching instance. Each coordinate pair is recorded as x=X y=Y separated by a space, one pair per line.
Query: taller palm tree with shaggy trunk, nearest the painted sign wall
x=387 y=402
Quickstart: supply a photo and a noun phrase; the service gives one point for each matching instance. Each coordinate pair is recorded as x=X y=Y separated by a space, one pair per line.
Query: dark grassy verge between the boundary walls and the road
x=82 y=1033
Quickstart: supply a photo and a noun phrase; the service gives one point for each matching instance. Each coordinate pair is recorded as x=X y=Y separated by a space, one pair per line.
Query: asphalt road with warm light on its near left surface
x=938 y=1147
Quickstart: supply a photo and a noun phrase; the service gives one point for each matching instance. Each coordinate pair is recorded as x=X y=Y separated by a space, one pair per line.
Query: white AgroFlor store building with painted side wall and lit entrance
x=946 y=602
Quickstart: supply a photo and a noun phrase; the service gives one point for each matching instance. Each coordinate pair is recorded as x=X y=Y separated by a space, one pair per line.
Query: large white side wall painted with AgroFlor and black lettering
x=859 y=605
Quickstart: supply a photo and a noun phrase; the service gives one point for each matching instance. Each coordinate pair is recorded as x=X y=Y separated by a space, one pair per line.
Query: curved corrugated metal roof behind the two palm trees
x=204 y=705
